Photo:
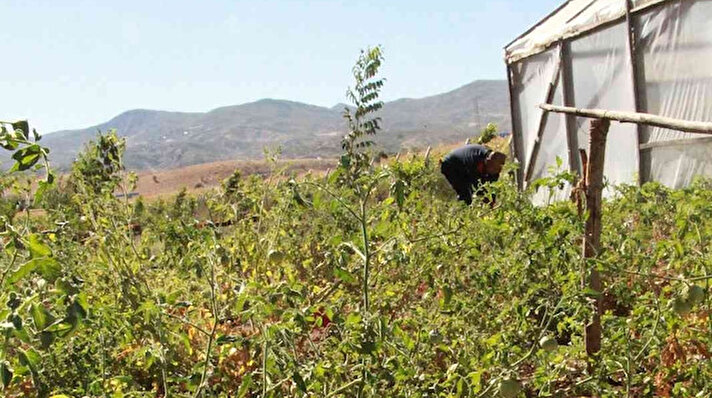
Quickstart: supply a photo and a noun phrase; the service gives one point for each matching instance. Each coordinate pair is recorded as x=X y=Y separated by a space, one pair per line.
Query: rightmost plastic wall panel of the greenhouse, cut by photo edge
x=676 y=48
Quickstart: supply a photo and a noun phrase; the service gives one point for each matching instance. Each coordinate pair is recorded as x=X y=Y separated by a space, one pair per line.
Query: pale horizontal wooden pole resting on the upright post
x=634 y=117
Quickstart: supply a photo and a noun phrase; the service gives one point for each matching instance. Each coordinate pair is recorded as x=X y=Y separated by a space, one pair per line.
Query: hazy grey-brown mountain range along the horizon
x=164 y=140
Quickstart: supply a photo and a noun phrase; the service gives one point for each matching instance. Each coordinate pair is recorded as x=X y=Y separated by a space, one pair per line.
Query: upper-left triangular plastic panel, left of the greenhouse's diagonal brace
x=531 y=80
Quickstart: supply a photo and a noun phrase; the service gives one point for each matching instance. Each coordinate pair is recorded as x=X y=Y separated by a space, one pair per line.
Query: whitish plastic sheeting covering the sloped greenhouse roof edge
x=573 y=17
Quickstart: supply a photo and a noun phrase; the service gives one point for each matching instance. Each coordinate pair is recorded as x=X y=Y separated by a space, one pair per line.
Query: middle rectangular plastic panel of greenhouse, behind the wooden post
x=602 y=78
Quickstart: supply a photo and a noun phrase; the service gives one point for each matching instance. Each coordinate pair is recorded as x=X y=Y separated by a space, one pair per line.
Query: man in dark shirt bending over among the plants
x=471 y=166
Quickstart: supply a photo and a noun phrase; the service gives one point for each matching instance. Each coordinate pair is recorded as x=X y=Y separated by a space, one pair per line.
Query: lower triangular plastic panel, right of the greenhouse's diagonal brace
x=553 y=145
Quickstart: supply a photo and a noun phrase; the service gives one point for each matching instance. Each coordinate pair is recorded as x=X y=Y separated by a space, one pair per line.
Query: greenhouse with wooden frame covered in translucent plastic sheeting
x=650 y=56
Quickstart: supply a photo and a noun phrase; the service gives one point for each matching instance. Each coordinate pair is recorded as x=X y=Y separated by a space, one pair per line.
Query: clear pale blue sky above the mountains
x=72 y=64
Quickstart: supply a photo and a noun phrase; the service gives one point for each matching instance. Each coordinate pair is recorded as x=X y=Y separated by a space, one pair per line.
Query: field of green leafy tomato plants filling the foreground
x=309 y=286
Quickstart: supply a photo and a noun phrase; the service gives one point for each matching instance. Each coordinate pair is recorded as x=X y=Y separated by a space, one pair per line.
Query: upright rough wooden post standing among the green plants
x=592 y=238
